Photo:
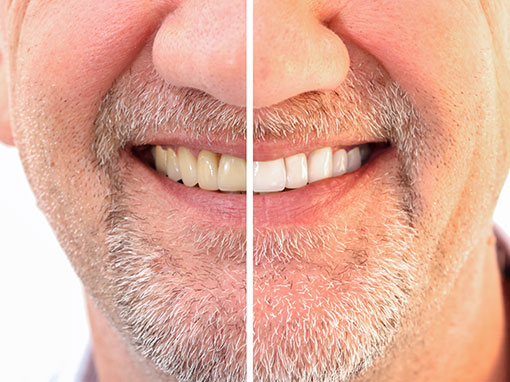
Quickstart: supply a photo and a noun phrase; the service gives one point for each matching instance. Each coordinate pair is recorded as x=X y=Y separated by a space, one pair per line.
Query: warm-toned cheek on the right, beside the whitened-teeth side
x=441 y=54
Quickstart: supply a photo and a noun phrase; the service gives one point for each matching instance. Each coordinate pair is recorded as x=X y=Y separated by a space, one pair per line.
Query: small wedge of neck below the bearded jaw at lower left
x=113 y=359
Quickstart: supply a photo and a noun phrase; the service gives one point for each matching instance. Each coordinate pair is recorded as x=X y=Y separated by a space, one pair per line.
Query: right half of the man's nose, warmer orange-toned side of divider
x=294 y=52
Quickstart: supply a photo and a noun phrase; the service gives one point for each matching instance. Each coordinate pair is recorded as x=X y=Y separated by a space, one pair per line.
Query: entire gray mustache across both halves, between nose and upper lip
x=369 y=105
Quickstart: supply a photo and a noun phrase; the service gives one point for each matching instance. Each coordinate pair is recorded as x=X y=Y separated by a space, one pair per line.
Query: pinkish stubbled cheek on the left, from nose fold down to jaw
x=68 y=54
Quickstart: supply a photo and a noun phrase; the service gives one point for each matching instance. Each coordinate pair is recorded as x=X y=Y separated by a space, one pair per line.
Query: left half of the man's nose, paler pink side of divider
x=202 y=45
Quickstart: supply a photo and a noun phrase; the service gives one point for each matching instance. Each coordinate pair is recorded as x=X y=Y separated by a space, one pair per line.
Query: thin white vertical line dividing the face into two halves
x=249 y=191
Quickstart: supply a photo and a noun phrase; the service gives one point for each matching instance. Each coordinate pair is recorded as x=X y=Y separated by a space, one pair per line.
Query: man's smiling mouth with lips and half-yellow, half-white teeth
x=300 y=188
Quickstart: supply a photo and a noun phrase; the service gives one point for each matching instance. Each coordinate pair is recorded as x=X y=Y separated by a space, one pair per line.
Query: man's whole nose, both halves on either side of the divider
x=202 y=44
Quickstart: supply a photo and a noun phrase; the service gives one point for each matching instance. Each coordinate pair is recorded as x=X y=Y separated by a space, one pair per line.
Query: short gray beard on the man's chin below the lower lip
x=192 y=327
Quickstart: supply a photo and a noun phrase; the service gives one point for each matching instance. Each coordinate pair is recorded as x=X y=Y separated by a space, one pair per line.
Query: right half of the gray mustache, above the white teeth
x=369 y=105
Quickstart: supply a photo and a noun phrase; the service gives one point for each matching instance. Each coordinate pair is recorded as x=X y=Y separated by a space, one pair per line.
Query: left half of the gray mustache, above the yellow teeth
x=142 y=103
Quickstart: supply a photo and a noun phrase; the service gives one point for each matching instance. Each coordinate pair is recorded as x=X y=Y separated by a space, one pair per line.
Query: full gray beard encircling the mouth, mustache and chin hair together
x=192 y=326
